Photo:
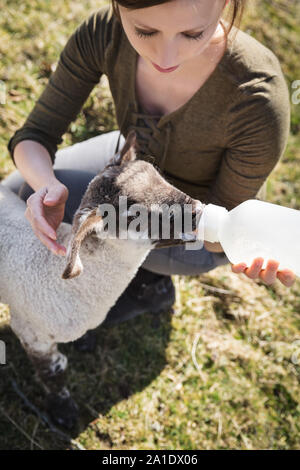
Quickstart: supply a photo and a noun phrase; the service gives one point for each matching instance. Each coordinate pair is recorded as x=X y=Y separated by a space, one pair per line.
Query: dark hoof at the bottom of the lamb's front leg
x=63 y=410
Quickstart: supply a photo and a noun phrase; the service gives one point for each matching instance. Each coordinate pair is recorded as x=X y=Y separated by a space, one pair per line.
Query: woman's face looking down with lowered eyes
x=177 y=31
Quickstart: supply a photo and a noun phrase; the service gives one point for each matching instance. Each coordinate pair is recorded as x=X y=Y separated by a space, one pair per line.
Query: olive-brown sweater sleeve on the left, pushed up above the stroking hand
x=80 y=66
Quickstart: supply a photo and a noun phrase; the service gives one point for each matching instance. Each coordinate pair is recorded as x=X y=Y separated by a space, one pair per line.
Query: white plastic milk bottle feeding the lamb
x=255 y=229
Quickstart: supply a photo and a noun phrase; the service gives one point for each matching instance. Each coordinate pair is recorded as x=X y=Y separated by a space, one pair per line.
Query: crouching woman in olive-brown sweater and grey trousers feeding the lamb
x=208 y=102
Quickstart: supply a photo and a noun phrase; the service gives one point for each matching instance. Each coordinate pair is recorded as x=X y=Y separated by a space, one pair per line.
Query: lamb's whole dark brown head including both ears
x=141 y=206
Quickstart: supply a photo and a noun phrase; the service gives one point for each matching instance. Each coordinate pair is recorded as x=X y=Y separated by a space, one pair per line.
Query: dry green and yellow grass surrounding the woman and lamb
x=222 y=371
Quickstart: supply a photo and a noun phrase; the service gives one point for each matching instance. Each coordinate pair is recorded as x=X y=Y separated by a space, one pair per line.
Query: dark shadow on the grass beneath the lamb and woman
x=128 y=357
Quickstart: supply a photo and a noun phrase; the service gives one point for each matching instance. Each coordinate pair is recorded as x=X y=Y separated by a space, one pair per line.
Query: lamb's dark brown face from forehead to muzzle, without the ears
x=156 y=208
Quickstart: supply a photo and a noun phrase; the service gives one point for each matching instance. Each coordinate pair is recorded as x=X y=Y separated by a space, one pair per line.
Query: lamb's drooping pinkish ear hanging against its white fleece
x=85 y=221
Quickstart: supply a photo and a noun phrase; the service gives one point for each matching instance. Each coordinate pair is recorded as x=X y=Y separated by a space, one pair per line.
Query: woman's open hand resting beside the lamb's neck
x=45 y=211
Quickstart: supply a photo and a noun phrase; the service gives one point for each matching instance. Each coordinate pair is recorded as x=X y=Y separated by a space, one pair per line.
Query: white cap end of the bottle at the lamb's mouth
x=211 y=221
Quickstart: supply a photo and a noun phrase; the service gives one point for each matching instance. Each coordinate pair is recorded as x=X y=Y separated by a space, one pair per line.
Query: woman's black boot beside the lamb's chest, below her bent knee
x=147 y=292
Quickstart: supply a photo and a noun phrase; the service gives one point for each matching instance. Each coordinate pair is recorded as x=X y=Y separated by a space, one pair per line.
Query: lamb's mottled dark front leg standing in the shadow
x=50 y=366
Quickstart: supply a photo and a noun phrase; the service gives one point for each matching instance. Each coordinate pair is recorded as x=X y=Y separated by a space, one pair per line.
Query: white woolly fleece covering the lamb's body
x=44 y=307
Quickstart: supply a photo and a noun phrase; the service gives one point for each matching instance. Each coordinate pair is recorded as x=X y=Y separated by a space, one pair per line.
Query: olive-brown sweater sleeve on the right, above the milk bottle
x=256 y=138
